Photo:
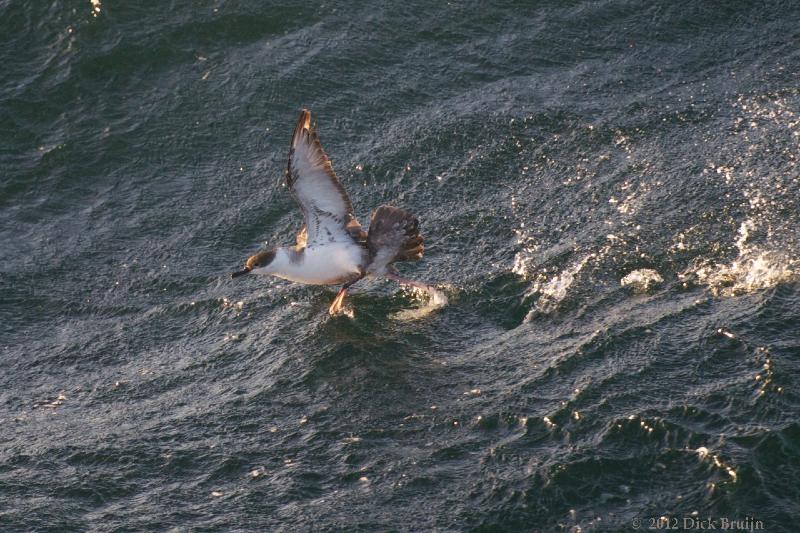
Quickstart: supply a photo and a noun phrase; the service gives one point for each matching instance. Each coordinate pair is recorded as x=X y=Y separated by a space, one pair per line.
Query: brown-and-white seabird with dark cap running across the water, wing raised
x=332 y=248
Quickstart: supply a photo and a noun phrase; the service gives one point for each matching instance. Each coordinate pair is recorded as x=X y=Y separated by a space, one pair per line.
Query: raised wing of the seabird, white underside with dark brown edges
x=327 y=209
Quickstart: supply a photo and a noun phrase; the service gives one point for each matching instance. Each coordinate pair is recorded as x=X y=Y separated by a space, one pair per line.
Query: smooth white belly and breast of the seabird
x=326 y=265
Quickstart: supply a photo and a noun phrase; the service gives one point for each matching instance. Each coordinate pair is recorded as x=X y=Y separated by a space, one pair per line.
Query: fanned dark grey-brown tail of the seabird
x=393 y=236
